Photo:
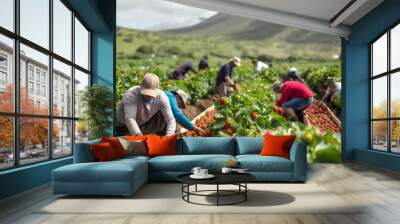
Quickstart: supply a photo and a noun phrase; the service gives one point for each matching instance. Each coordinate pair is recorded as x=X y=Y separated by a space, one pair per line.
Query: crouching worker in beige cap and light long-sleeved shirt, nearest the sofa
x=145 y=109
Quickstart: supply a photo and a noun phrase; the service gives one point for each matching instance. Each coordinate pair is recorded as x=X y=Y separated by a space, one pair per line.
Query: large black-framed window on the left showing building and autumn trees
x=44 y=65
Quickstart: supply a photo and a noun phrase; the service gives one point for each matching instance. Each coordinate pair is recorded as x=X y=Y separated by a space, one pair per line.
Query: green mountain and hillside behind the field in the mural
x=223 y=36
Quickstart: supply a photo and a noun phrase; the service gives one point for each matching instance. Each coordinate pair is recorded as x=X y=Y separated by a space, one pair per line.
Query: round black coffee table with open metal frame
x=238 y=179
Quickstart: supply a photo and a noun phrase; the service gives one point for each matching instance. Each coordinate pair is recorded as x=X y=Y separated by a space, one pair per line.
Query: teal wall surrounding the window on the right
x=356 y=101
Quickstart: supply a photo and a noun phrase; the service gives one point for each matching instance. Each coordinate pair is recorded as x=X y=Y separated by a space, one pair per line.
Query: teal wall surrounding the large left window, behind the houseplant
x=100 y=17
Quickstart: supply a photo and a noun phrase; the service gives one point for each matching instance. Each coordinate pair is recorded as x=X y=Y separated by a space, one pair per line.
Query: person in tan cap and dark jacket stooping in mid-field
x=224 y=82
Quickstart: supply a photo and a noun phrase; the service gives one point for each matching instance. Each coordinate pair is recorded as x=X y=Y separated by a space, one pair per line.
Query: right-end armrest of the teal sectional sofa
x=298 y=155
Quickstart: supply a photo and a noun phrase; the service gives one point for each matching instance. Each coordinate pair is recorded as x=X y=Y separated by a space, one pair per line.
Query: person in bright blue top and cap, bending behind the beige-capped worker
x=178 y=100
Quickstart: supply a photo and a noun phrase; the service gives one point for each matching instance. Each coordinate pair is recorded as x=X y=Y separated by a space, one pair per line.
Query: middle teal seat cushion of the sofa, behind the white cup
x=185 y=163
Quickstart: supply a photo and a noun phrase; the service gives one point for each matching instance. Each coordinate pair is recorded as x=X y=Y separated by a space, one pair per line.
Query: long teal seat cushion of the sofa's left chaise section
x=112 y=171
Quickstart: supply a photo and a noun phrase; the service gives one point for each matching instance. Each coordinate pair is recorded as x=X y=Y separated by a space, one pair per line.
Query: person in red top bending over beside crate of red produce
x=295 y=98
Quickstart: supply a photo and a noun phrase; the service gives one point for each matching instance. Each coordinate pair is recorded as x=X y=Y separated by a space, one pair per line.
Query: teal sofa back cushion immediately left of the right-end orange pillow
x=249 y=145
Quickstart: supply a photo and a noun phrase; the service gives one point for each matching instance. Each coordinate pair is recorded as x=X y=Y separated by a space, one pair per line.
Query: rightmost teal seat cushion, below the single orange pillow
x=257 y=163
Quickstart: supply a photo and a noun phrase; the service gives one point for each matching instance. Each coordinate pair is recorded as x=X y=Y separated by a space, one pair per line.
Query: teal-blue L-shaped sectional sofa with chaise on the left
x=125 y=176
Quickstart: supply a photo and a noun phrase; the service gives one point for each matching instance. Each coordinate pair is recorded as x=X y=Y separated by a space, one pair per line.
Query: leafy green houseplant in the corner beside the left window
x=97 y=103
